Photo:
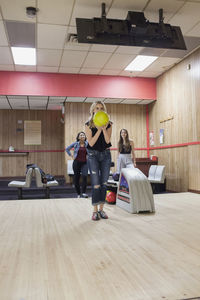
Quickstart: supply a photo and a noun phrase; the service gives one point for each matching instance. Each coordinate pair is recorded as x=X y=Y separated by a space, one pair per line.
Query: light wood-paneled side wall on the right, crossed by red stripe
x=178 y=96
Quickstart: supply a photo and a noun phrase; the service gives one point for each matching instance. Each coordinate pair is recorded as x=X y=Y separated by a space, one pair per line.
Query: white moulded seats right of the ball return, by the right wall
x=157 y=178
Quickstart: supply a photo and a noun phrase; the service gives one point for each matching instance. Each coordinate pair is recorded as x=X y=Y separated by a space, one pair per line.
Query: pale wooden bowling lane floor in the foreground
x=51 y=250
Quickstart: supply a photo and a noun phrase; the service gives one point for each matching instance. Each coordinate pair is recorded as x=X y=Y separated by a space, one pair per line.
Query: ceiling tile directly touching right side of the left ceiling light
x=48 y=57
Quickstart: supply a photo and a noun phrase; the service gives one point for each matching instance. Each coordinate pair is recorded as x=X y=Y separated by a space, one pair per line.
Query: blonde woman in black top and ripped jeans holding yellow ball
x=99 y=159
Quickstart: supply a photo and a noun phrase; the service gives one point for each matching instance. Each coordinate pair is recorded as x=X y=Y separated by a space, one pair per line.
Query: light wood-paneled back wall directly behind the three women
x=131 y=117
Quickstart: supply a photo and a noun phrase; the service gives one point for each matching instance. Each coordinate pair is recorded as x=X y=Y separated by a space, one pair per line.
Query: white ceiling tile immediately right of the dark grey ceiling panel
x=51 y=36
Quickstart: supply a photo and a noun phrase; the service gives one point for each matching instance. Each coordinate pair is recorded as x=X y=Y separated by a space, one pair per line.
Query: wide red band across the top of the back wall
x=76 y=85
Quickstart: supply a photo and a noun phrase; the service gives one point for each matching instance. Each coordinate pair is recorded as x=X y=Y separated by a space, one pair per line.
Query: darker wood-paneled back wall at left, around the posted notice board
x=11 y=133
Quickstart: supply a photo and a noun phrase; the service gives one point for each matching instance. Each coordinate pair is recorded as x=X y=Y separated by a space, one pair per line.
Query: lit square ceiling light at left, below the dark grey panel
x=24 y=56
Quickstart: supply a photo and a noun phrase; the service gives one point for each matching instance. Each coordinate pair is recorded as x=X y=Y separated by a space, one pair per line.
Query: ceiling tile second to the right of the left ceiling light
x=73 y=59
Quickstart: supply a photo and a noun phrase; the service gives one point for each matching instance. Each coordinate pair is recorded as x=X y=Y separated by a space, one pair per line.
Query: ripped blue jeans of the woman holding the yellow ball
x=99 y=166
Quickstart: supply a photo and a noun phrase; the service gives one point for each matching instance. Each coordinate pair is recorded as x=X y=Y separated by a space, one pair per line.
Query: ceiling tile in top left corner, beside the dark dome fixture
x=16 y=10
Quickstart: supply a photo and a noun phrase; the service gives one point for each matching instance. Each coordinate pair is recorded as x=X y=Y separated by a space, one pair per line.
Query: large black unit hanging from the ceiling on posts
x=135 y=30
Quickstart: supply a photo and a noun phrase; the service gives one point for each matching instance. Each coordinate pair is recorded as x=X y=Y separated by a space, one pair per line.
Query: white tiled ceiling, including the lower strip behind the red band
x=55 y=21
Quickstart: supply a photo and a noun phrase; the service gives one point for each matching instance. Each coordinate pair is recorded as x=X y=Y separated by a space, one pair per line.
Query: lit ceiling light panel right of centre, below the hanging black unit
x=140 y=63
